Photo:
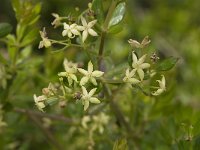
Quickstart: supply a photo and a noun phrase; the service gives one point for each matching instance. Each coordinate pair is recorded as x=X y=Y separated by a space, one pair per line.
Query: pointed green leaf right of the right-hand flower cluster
x=167 y=64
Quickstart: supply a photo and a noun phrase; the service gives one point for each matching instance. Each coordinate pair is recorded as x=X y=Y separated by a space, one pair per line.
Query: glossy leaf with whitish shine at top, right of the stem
x=118 y=14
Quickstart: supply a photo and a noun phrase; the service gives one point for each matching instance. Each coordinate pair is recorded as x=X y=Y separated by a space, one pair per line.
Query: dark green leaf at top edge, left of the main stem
x=97 y=7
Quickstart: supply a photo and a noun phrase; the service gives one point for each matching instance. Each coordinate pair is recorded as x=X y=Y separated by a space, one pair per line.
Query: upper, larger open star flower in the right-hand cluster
x=139 y=65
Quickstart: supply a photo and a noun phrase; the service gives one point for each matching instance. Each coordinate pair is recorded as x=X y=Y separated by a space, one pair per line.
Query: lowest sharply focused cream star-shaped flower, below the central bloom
x=87 y=97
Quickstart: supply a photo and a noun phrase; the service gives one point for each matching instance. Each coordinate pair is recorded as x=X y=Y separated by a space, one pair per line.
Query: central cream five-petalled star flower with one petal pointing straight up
x=89 y=75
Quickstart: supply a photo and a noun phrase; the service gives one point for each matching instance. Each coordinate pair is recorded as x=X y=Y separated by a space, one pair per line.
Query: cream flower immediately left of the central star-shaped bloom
x=70 y=70
